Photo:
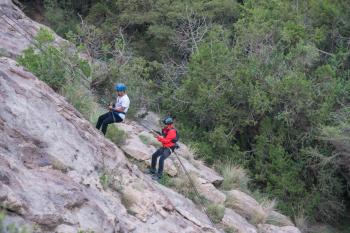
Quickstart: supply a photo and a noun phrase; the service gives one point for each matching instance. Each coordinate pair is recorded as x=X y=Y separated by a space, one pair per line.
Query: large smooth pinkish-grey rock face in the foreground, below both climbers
x=51 y=161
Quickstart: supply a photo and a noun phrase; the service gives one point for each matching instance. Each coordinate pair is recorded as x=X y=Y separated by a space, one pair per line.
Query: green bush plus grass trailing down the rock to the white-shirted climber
x=61 y=69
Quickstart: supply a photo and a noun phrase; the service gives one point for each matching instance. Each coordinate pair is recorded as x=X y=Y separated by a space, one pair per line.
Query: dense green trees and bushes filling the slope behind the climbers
x=264 y=84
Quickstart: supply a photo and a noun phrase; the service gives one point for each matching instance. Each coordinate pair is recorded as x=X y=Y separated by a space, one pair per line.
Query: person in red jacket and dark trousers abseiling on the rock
x=168 y=139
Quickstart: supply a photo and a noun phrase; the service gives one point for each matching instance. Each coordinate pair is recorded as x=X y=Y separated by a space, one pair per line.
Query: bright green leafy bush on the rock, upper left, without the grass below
x=57 y=66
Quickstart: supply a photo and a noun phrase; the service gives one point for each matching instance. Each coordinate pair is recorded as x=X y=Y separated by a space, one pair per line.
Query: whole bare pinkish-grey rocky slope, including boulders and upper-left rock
x=59 y=174
